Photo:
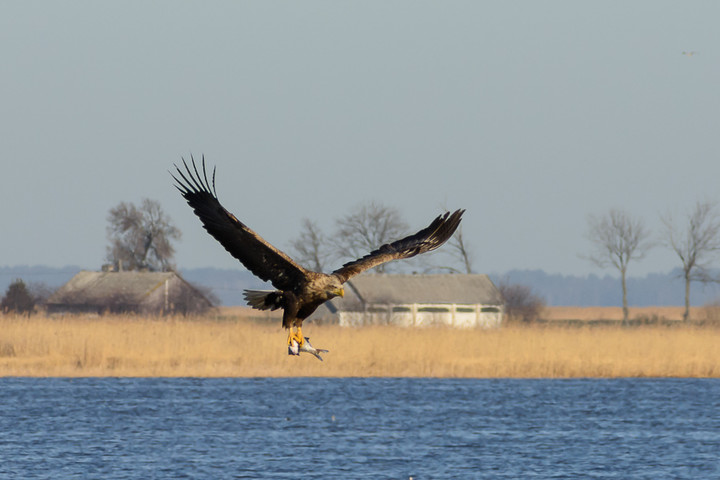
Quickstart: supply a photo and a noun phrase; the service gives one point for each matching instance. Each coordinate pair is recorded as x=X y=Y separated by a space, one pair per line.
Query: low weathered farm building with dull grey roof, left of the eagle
x=155 y=293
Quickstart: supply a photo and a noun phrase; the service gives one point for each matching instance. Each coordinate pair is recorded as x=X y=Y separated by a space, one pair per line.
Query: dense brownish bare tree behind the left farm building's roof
x=140 y=237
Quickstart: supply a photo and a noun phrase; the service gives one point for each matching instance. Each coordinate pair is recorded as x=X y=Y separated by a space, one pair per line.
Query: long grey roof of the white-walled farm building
x=424 y=289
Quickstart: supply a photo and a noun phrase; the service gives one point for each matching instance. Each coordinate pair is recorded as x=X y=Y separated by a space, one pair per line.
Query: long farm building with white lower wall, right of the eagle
x=415 y=300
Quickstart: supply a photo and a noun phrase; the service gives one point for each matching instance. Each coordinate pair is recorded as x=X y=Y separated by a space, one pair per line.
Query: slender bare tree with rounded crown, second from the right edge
x=618 y=239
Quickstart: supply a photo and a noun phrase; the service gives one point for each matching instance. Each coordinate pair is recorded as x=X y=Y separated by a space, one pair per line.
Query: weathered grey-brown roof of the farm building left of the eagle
x=96 y=287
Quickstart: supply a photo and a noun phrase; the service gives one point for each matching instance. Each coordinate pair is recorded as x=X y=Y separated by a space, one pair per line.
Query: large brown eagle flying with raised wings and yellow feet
x=299 y=291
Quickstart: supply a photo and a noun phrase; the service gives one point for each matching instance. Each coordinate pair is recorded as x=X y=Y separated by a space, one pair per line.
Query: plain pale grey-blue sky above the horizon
x=531 y=115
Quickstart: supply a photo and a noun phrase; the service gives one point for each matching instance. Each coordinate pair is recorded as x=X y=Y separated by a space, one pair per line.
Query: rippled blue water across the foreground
x=359 y=428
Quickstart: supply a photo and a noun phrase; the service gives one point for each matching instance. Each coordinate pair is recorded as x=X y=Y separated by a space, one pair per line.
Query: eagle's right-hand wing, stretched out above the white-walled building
x=427 y=239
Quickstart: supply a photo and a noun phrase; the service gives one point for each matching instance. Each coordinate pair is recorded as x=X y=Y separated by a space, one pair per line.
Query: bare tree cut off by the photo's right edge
x=696 y=243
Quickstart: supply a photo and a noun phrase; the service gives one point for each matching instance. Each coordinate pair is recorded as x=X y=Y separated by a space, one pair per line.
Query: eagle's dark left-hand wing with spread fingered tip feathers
x=258 y=256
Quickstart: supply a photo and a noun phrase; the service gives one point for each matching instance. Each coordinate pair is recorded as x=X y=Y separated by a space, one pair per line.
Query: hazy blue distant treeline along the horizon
x=592 y=290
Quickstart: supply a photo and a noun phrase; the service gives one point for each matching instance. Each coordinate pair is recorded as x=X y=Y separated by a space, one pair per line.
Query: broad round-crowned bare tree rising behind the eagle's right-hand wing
x=366 y=228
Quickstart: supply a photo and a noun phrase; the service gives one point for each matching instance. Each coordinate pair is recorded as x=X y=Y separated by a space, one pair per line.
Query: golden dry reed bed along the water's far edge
x=203 y=347
